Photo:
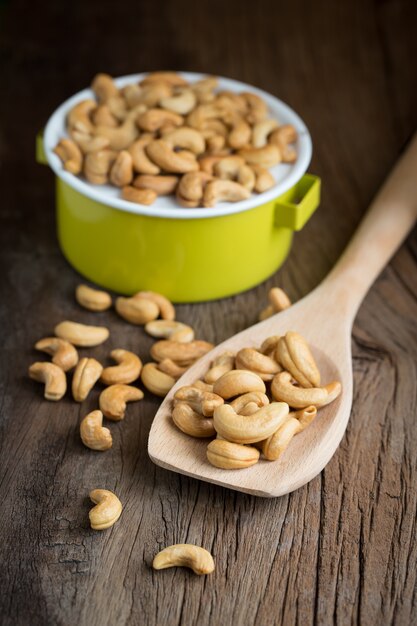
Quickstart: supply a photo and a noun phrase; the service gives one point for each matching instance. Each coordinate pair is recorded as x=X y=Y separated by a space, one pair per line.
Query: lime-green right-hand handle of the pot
x=295 y=207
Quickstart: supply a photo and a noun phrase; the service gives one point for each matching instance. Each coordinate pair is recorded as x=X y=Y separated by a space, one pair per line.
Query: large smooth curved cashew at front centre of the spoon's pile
x=249 y=429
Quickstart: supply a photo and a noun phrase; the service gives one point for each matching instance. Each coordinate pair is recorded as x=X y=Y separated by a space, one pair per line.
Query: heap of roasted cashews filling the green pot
x=167 y=136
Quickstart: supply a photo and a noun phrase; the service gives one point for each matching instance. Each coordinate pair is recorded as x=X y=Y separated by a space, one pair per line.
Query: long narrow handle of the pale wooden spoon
x=387 y=222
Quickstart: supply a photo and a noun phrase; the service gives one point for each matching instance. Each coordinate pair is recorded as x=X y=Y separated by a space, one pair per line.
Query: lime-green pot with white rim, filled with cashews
x=186 y=184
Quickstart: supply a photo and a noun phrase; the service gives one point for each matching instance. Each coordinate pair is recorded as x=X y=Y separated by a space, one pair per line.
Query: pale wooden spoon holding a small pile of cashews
x=324 y=318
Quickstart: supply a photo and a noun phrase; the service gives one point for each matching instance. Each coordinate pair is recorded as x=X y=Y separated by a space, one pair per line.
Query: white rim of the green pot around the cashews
x=56 y=122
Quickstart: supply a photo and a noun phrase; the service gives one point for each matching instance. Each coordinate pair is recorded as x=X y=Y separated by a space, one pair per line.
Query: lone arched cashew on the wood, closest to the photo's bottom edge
x=185 y=555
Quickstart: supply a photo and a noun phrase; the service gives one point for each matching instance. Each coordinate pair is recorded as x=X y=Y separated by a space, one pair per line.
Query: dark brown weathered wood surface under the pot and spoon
x=343 y=548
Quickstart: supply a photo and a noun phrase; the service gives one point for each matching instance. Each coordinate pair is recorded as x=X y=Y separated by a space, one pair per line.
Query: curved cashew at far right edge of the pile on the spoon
x=297 y=397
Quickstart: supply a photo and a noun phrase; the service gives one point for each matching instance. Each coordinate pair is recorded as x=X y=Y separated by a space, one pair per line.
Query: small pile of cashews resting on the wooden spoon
x=234 y=405
